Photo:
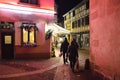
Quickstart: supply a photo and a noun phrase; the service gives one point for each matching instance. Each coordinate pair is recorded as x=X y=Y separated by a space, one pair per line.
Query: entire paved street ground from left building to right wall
x=46 y=69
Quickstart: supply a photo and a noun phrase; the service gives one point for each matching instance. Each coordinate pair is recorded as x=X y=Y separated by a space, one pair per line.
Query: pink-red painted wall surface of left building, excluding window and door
x=43 y=48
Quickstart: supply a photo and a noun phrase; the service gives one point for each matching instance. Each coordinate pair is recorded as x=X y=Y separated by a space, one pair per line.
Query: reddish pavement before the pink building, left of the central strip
x=29 y=69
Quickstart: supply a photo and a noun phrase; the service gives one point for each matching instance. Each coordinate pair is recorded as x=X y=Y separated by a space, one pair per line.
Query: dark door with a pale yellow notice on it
x=7 y=45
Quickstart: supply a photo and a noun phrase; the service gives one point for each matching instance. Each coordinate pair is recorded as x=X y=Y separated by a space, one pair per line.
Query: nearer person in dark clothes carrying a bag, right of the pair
x=73 y=54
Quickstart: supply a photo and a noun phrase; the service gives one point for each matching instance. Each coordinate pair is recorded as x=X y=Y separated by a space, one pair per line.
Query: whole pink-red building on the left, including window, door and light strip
x=22 y=28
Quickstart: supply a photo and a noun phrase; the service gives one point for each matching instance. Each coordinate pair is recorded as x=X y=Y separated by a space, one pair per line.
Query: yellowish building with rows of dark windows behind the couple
x=77 y=21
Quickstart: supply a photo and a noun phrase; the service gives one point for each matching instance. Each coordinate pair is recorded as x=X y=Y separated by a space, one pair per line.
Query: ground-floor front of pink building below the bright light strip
x=22 y=35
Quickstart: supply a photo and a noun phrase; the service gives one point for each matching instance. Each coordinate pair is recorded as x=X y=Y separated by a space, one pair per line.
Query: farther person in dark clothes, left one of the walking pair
x=64 y=49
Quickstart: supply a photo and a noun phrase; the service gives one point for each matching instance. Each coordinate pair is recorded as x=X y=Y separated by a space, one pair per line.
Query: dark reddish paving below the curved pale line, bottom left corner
x=47 y=75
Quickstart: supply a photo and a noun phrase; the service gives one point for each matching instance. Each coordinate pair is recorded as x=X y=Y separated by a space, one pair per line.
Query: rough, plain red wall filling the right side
x=105 y=38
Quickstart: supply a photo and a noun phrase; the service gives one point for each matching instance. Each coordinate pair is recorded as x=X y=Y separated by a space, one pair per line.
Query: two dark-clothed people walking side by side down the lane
x=70 y=51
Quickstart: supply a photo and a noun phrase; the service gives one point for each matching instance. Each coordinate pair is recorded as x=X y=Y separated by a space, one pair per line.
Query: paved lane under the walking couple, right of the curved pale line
x=64 y=72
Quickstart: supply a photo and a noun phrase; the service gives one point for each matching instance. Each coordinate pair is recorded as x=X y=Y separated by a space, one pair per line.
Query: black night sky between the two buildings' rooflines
x=64 y=6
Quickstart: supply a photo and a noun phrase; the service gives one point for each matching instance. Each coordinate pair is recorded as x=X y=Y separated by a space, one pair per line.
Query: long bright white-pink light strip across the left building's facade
x=26 y=9
